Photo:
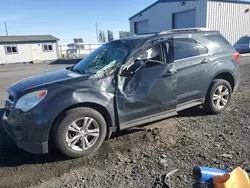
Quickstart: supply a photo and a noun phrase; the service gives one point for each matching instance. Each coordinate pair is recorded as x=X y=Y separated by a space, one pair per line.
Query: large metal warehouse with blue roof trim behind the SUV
x=230 y=17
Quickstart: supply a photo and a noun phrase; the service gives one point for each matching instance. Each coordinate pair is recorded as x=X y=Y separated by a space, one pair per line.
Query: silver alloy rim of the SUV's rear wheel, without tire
x=220 y=97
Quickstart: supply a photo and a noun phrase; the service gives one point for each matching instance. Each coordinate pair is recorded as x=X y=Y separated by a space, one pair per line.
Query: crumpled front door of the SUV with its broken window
x=146 y=87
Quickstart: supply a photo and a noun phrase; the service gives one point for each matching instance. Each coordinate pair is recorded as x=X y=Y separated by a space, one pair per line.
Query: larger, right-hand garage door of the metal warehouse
x=184 y=19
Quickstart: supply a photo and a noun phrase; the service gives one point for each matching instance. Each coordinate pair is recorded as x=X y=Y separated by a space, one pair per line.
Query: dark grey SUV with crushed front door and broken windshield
x=122 y=84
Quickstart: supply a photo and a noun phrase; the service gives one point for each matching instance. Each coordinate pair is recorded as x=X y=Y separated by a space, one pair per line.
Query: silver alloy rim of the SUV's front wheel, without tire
x=82 y=134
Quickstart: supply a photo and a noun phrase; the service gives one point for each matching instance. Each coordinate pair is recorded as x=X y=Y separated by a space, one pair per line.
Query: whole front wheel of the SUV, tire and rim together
x=81 y=132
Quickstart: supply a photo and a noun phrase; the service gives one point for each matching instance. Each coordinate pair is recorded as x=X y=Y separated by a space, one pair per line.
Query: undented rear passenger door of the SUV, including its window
x=191 y=61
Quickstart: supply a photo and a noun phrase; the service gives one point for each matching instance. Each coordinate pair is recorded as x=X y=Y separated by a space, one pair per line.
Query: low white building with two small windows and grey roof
x=33 y=48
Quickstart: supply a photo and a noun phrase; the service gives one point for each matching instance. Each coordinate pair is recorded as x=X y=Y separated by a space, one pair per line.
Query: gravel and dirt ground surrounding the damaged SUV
x=138 y=157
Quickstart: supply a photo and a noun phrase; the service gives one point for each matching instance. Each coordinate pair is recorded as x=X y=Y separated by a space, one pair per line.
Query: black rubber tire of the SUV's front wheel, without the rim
x=62 y=128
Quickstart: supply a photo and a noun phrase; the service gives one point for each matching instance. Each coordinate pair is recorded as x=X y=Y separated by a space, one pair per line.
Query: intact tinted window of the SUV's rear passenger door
x=187 y=47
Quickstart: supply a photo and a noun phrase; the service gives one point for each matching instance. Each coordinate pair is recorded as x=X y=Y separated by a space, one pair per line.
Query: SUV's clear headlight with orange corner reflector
x=30 y=100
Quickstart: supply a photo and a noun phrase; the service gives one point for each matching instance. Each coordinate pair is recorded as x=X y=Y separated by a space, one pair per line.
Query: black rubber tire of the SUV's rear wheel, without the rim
x=209 y=104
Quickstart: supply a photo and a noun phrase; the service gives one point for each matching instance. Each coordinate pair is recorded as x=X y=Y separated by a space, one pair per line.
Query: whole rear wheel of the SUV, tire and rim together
x=218 y=96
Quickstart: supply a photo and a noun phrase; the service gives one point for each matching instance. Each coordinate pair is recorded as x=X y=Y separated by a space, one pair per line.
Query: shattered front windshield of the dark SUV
x=102 y=59
